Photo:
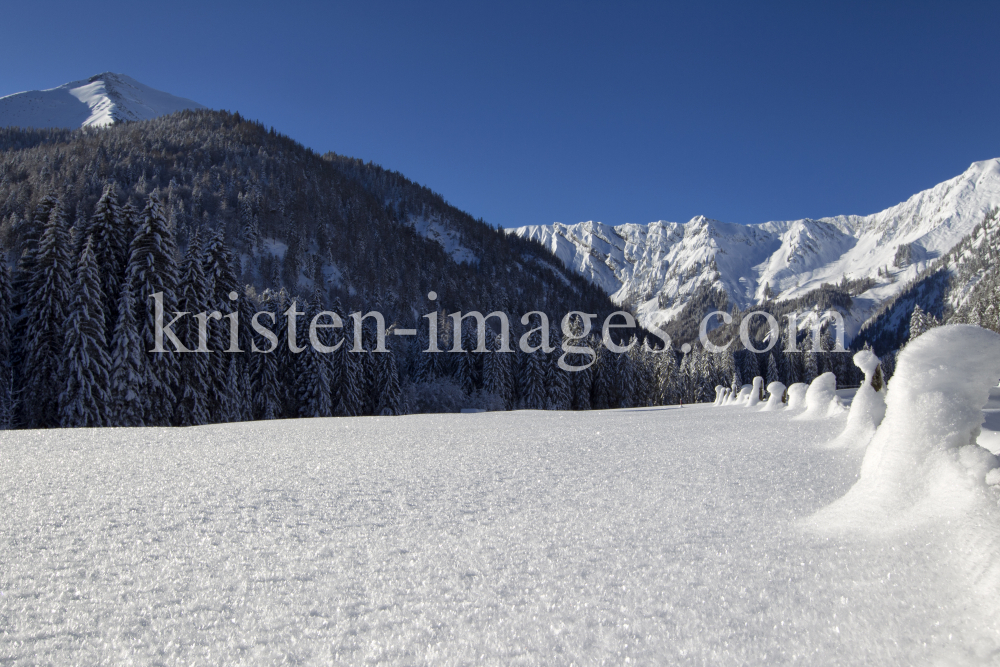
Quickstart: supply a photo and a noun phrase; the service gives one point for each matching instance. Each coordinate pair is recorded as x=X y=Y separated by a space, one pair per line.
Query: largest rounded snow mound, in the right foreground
x=923 y=462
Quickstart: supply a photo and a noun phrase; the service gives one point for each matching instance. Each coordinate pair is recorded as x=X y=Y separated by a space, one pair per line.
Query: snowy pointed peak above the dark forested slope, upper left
x=101 y=100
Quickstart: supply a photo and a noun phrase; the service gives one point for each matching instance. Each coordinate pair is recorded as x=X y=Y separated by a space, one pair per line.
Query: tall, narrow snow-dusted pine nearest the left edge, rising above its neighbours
x=47 y=310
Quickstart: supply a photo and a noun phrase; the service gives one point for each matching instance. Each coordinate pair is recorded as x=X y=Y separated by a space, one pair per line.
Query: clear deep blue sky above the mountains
x=528 y=114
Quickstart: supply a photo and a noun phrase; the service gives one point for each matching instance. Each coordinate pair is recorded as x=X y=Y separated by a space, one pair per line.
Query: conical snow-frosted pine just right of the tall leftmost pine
x=85 y=400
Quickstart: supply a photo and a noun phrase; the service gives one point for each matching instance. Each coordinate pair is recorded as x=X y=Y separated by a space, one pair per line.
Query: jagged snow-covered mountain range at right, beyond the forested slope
x=658 y=269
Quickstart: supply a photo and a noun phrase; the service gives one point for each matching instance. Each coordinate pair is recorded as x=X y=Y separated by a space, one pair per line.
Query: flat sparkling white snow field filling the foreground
x=669 y=535
